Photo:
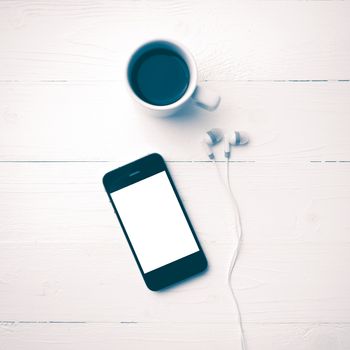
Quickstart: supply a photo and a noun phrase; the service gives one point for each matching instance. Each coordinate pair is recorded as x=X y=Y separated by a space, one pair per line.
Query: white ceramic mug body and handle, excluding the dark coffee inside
x=202 y=96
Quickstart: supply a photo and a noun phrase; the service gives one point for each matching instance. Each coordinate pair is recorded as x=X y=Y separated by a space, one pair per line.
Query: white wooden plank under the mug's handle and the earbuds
x=287 y=122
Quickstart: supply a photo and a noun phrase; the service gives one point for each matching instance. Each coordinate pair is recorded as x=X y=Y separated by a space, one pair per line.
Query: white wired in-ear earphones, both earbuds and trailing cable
x=211 y=138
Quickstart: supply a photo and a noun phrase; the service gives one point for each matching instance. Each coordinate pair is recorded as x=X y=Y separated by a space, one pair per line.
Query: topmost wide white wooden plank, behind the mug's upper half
x=240 y=40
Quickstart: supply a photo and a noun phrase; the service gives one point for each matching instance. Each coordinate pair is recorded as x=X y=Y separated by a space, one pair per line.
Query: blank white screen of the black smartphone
x=154 y=222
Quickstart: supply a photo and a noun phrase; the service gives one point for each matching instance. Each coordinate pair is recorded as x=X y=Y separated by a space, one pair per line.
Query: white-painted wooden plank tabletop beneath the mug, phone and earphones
x=67 y=277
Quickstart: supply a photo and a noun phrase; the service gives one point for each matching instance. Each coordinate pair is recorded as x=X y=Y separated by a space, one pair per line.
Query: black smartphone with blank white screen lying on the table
x=154 y=221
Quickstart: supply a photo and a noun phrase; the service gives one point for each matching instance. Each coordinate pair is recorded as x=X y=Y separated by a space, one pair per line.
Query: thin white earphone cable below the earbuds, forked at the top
x=236 y=251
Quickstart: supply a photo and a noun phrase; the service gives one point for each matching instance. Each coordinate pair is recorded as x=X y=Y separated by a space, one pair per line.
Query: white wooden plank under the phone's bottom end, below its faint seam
x=99 y=282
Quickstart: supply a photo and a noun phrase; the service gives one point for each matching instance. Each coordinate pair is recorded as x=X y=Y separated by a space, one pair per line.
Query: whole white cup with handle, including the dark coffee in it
x=162 y=78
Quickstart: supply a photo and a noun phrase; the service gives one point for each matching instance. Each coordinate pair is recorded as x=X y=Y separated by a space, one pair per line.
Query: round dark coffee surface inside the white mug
x=160 y=77
